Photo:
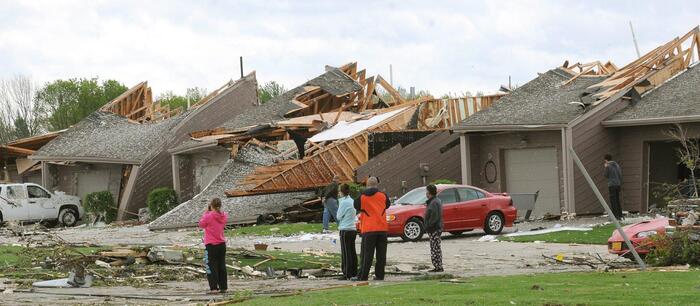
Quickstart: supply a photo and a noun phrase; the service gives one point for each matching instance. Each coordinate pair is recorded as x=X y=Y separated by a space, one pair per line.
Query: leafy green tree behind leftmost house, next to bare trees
x=66 y=102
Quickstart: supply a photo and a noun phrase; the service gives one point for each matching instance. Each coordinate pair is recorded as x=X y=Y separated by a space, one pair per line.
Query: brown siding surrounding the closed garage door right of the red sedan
x=494 y=144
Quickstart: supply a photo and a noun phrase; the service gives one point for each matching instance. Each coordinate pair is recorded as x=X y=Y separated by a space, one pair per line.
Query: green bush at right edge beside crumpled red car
x=680 y=248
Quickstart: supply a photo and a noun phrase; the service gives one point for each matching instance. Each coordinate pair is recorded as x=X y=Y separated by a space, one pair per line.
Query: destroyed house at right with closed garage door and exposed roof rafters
x=519 y=145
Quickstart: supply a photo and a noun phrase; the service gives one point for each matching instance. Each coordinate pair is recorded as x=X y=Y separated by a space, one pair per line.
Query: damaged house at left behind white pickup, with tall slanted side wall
x=122 y=148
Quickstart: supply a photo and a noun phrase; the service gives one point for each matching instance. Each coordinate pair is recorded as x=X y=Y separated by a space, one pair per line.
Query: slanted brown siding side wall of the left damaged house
x=156 y=171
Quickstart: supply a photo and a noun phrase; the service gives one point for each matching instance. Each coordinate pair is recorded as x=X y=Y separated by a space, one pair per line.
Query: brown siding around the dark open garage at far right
x=633 y=160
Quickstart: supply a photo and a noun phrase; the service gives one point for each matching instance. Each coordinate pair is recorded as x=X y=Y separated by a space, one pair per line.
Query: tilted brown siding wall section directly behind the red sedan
x=401 y=164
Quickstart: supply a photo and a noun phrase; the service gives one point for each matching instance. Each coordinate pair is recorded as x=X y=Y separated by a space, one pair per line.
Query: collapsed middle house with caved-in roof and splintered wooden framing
x=274 y=157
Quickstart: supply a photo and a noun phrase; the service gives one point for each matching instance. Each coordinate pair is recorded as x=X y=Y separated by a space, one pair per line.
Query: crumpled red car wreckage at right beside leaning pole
x=638 y=234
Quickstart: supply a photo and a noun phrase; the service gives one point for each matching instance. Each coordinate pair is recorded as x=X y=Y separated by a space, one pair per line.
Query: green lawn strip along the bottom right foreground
x=592 y=288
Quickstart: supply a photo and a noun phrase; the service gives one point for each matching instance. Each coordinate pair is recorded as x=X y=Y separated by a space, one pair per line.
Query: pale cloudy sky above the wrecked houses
x=440 y=46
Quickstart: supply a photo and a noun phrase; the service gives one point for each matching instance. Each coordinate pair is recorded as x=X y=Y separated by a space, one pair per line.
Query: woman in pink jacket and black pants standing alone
x=213 y=222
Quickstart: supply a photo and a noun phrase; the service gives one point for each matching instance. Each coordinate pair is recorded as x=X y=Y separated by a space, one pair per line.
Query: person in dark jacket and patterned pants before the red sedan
x=433 y=226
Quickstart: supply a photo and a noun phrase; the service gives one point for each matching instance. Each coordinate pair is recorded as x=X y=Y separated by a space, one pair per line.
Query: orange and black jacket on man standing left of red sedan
x=372 y=205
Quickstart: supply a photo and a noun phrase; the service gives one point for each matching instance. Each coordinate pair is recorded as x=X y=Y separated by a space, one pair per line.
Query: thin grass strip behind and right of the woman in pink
x=282 y=229
